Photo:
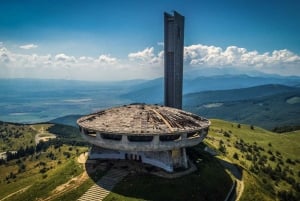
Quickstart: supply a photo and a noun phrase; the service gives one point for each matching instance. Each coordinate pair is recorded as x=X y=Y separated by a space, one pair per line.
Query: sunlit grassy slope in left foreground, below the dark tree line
x=41 y=184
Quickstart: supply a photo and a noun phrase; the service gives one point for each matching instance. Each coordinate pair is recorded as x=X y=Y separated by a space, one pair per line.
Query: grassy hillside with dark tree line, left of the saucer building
x=35 y=171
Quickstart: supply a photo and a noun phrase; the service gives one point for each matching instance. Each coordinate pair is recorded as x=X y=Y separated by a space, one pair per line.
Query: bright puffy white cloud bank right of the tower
x=202 y=55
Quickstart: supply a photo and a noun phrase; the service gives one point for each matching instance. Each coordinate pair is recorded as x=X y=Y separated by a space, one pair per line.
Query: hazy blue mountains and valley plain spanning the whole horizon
x=268 y=101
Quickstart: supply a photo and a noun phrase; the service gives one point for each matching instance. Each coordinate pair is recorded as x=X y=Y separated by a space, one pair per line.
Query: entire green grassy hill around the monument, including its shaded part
x=269 y=163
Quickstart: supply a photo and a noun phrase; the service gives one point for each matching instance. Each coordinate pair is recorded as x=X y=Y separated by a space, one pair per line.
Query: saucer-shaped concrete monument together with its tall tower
x=152 y=134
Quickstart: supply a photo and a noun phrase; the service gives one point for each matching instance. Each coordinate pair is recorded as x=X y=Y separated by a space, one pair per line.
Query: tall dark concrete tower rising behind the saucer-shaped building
x=174 y=35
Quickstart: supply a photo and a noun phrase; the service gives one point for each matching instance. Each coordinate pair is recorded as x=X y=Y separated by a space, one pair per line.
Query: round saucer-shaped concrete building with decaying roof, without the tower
x=151 y=134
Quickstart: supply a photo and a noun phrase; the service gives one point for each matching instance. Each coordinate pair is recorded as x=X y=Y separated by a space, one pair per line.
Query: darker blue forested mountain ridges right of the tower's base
x=267 y=106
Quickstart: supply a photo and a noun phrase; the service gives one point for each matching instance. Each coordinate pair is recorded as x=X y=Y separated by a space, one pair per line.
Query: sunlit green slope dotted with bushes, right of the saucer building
x=258 y=184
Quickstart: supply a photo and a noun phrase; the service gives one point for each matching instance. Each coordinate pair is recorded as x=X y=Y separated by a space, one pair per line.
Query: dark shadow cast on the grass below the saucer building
x=209 y=182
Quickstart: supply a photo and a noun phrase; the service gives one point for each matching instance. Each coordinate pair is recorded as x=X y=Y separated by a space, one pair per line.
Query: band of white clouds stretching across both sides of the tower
x=144 y=64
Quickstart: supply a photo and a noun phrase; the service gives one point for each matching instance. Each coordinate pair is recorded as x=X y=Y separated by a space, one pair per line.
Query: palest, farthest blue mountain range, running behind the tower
x=152 y=91
